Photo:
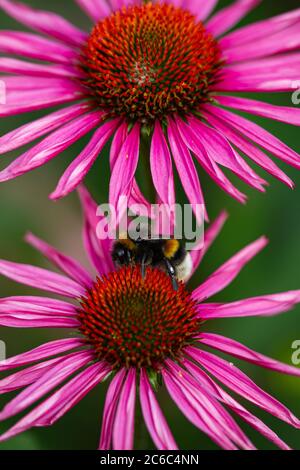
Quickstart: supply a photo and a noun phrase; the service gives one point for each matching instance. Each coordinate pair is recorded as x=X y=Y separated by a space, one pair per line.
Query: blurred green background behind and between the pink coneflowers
x=24 y=207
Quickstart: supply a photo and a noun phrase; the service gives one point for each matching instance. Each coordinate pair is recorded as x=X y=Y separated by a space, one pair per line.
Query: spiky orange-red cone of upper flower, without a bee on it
x=146 y=62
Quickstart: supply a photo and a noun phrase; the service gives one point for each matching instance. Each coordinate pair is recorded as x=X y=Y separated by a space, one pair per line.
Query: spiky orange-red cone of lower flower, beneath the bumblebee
x=134 y=321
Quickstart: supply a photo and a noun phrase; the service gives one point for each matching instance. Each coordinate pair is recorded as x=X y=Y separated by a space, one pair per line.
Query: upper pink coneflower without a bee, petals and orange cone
x=159 y=72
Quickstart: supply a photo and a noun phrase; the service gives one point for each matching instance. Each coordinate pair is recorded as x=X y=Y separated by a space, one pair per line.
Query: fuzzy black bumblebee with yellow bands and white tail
x=168 y=255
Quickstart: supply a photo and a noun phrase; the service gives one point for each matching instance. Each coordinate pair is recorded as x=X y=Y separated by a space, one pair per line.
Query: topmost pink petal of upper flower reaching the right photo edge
x=260 y=29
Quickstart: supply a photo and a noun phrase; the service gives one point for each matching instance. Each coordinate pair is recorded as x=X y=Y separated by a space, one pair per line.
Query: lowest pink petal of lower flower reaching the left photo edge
x=61 y=401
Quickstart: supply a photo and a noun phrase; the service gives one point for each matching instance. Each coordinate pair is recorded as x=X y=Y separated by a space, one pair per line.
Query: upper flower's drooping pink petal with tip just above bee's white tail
x=186 y=169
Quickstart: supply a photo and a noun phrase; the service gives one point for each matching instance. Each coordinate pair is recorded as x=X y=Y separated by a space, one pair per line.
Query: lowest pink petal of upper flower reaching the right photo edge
x=257 y=134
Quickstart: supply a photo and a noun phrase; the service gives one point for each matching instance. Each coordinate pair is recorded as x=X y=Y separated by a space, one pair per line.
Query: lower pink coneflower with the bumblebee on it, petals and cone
x=138 y=332
